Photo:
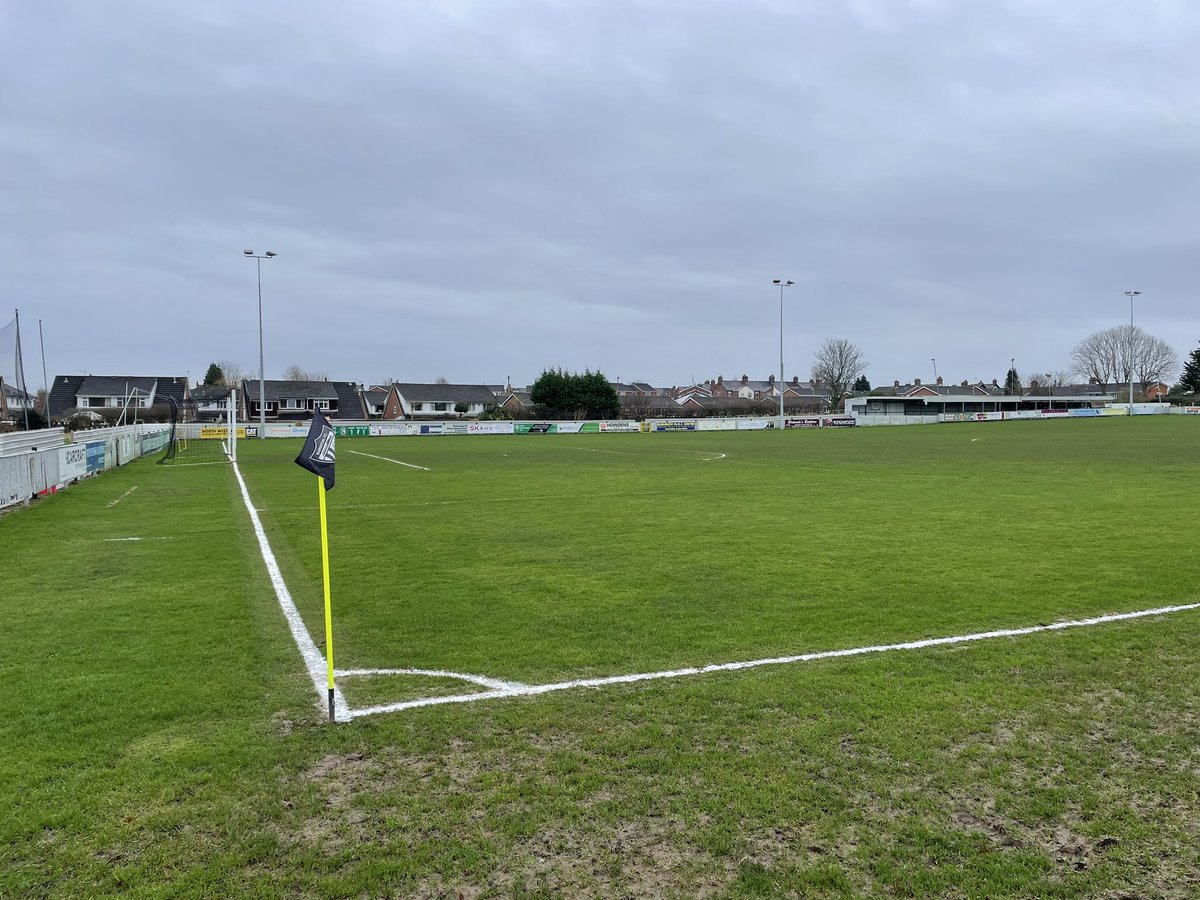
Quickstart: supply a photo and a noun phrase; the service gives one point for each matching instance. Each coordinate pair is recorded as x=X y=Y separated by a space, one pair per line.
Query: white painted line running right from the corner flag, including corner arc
x=514 y=689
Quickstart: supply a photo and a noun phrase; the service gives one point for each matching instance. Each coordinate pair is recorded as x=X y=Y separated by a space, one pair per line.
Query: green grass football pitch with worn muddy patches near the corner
x=657 y=628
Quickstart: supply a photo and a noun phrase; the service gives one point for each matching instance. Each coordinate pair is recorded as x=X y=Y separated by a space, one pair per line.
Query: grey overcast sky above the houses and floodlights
x=481 y=190
